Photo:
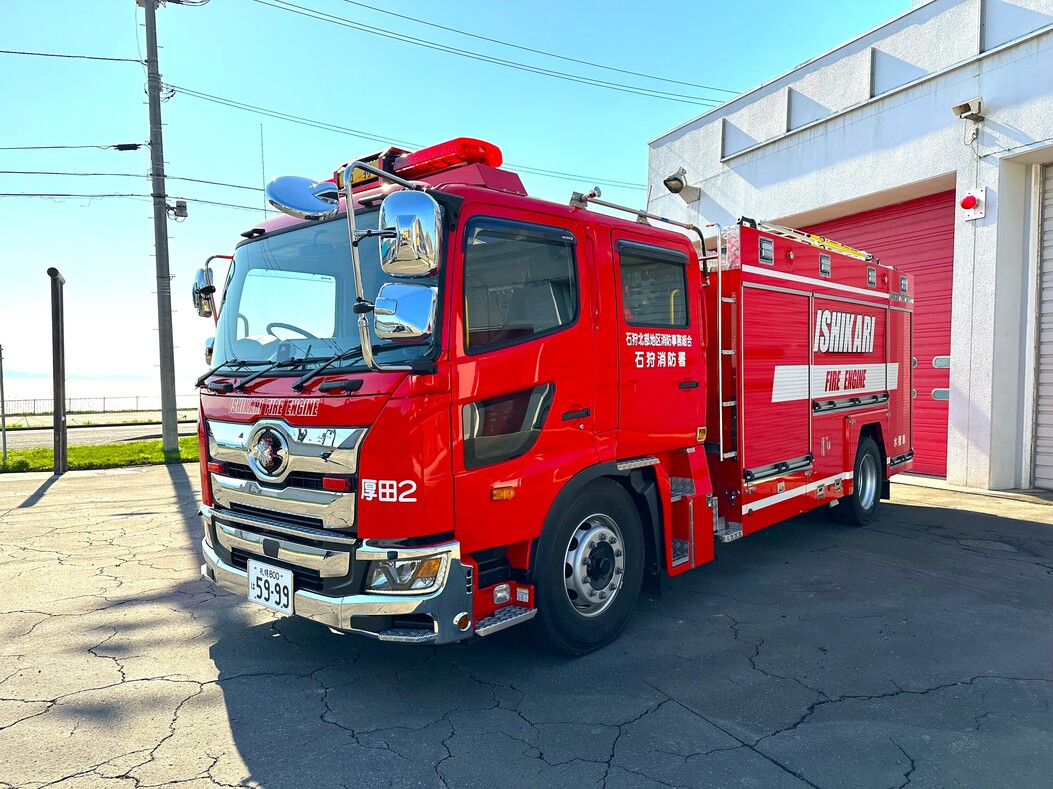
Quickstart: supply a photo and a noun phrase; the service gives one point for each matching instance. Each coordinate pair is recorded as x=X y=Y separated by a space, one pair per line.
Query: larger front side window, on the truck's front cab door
x=521 y=282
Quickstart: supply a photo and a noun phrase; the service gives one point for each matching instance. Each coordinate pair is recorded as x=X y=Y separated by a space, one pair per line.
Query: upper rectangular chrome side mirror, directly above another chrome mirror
x=411 y=247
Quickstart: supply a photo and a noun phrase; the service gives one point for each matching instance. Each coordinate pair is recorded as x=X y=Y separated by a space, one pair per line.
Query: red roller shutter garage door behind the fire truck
x=917 y=238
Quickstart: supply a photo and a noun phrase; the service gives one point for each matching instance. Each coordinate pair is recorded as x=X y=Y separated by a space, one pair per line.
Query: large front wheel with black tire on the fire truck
x=589 y=570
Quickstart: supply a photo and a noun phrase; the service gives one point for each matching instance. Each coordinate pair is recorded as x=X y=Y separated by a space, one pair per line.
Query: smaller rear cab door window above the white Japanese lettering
x=654 y=286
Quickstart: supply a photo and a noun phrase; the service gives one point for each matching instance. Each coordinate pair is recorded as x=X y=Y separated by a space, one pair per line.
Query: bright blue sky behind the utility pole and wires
x=272 y=55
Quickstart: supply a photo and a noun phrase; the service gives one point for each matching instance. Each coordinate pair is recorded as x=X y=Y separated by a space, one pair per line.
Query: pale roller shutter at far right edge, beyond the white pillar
x=1044 y=418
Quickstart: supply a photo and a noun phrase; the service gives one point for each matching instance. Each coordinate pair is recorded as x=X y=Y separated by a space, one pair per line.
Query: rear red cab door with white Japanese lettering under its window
x=661 y=363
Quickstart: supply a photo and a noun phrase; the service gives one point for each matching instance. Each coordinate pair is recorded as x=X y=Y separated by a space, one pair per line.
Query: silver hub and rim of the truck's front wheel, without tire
x=595 y=565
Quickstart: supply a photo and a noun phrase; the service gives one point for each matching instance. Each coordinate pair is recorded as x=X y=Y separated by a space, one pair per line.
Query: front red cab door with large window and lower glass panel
x=524 y=392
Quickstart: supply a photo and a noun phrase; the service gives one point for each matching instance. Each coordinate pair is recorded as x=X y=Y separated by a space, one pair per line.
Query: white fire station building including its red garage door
x=927 y=142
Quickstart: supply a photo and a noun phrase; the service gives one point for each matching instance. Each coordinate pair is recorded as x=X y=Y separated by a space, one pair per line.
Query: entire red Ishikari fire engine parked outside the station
x=454 y=408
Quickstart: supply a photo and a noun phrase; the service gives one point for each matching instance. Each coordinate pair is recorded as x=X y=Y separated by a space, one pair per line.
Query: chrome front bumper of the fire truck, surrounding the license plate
x=374 y=616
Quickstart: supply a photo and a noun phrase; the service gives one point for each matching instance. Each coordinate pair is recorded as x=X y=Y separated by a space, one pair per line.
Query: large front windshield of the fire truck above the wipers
x=290 y=297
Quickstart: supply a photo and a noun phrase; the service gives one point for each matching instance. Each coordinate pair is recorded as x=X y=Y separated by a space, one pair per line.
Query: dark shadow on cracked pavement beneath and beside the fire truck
x=809 y=655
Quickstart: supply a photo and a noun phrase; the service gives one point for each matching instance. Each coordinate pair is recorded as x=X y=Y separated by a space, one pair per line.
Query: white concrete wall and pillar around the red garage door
x=870 y=125
